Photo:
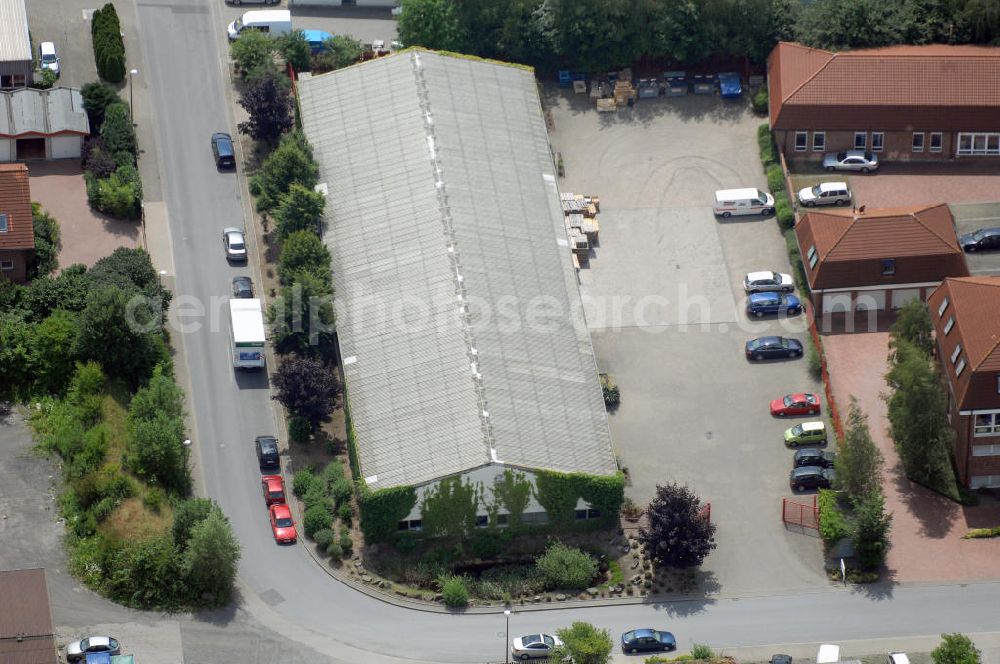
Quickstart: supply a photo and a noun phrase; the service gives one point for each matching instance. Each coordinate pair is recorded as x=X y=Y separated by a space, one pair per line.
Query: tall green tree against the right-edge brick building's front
x=918 y=418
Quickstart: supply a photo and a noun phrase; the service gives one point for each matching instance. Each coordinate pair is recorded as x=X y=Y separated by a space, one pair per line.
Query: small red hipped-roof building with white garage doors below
x=878 y=259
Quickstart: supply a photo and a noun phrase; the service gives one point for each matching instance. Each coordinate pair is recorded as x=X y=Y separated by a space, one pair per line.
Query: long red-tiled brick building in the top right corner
x=903 y=102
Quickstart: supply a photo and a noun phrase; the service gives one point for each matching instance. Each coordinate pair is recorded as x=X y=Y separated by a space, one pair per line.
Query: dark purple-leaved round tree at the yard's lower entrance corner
x=679 y=534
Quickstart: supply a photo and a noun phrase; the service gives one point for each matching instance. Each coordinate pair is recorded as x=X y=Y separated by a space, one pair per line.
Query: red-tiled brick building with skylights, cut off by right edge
x=966 y=315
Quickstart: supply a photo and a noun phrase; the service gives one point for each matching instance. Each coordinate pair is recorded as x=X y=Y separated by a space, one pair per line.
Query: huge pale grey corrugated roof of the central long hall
x=438 y=168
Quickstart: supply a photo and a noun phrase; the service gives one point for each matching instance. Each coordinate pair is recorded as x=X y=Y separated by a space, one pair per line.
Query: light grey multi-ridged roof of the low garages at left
x=44 y=112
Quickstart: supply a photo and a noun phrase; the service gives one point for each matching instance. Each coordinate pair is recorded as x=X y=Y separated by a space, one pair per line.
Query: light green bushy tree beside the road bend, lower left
x=209 y=564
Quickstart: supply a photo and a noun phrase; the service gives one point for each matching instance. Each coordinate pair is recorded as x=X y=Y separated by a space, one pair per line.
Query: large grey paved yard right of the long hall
x=664 y=302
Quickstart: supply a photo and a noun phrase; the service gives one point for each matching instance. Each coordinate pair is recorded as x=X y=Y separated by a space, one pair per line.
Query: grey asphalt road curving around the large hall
x=183 y=44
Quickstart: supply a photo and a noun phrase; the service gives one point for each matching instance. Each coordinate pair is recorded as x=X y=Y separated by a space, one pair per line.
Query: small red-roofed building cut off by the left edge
x=17 y=235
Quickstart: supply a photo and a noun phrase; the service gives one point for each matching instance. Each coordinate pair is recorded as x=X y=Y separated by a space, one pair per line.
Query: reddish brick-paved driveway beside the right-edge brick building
x=926 y=528
